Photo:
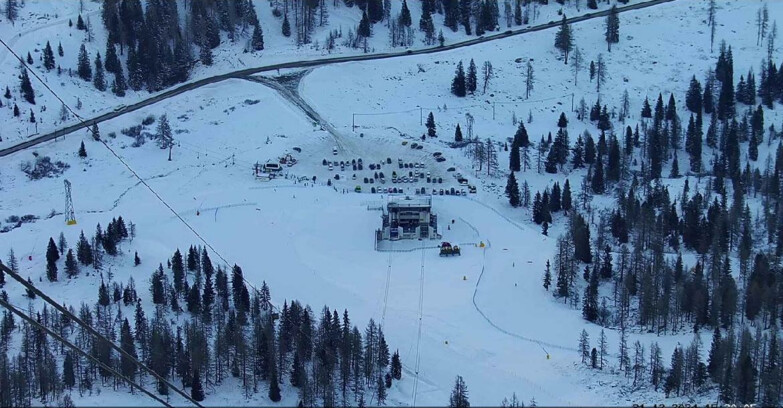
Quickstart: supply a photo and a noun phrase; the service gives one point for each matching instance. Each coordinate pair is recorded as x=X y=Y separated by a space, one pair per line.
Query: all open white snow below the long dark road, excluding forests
x=483 y=315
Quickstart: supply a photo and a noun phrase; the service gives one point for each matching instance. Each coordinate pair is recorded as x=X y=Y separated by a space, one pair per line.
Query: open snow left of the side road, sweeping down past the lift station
x=314 y=244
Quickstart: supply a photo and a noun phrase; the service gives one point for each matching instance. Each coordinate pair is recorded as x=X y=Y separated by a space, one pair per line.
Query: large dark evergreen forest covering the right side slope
x=727 y=217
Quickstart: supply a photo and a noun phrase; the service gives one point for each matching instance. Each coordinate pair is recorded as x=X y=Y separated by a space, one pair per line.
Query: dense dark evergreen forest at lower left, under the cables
x=206 y=328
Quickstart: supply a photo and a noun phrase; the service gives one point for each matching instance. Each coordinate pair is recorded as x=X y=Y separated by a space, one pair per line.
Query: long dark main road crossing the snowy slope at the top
x=305 y=64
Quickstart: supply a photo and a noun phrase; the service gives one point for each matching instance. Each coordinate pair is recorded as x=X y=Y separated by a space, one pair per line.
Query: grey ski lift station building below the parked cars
x=408 y=217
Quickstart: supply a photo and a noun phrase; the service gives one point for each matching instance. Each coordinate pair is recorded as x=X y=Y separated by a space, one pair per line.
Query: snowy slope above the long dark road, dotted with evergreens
x=41 y=21
